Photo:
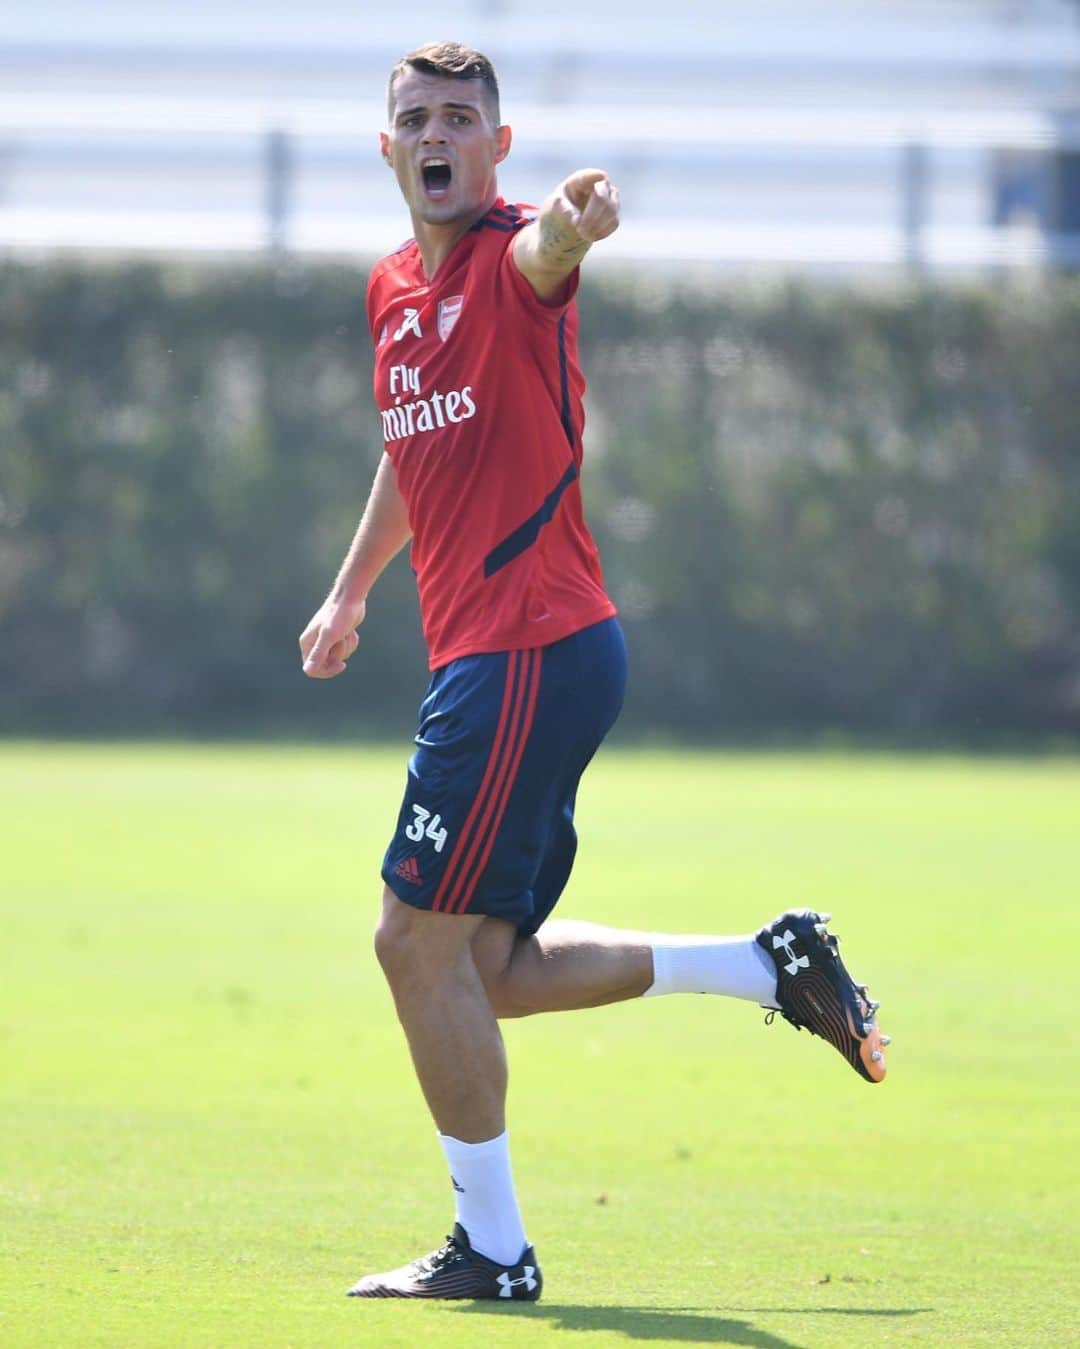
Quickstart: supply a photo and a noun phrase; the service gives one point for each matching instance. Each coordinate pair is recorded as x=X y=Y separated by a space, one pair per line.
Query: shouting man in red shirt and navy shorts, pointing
x=479 y=389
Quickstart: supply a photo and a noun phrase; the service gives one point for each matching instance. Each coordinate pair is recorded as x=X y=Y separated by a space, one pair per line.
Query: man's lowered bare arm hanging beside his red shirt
x=331 y=639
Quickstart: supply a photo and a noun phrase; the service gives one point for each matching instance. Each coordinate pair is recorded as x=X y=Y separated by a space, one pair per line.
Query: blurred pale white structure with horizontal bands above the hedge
x=810 y=133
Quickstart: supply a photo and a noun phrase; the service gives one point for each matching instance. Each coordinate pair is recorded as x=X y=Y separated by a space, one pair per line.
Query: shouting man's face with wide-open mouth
x=443 y=146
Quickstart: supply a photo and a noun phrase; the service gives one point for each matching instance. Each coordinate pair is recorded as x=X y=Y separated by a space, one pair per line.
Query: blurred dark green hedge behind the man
x=820 y=508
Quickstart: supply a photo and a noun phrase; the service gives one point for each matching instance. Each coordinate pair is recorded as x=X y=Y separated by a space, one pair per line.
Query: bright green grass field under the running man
x=211 y=1128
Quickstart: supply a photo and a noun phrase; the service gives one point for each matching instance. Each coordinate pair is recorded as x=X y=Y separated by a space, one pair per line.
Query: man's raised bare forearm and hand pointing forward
x=583 y=210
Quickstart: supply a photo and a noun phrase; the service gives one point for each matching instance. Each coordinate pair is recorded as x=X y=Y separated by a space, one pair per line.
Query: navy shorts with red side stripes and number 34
x=487 y=824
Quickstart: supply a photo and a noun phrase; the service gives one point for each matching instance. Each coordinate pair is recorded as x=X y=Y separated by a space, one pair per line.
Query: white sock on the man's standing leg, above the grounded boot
x=487 y=1207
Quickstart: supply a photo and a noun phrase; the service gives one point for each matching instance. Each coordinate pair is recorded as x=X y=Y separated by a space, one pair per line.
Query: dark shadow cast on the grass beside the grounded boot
x=692 y=1325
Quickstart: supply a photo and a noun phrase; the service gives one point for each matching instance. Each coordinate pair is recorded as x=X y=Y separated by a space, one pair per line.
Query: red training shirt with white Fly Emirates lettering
x=481 y=391
